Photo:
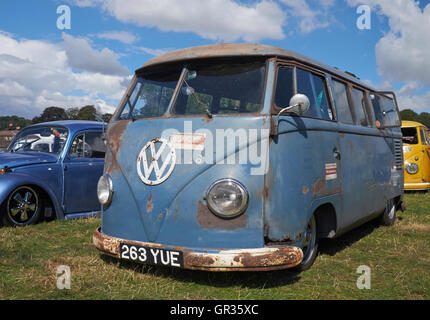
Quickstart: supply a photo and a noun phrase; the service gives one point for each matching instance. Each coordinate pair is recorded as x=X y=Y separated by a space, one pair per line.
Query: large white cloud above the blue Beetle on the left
x=37 y=74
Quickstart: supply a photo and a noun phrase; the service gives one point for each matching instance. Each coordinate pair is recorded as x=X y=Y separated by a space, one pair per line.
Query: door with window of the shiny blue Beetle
x=83 y=166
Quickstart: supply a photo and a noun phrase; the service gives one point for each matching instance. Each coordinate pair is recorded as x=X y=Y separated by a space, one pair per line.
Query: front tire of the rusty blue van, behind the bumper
x=310 y=245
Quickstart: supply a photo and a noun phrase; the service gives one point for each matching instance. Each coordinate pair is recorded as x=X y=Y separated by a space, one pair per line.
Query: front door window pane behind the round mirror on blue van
x=315 y=88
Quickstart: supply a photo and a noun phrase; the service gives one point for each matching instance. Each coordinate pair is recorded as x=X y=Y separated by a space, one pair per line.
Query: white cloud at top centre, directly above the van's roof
x=219 y=20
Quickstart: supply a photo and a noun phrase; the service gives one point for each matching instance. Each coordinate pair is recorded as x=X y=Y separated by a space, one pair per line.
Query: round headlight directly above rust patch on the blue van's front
x=227 y=198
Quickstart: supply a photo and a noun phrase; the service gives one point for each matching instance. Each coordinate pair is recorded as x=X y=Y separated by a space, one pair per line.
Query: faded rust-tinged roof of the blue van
x=243 y=49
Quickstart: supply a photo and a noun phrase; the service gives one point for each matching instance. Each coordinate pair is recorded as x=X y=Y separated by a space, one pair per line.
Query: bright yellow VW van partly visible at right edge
x=416 y=153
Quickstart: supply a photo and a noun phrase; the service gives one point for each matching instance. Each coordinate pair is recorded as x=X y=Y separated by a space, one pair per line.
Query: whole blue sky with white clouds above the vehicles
x=91 y=63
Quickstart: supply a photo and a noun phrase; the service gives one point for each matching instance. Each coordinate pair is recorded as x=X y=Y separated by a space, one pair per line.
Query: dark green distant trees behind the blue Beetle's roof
x=55 y=114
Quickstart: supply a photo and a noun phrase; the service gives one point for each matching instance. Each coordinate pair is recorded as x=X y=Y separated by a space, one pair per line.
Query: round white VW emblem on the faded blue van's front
x=158 y=159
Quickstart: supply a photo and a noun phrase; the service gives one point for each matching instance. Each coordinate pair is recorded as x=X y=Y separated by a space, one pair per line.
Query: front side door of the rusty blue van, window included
x=304 y=155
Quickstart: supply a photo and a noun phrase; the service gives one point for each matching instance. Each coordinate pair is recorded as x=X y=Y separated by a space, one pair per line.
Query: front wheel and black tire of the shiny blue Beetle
x=23 y=207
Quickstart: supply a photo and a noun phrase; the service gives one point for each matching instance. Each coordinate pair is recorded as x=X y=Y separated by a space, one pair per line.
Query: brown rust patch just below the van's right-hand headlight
x=207 y=220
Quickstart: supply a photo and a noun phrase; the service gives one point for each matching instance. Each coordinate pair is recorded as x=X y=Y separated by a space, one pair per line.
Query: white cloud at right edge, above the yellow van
x=402 y=54
